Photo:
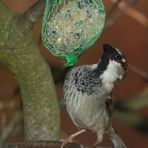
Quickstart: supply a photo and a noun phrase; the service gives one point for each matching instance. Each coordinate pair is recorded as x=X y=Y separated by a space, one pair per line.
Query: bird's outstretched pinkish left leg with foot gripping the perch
x=71 y=137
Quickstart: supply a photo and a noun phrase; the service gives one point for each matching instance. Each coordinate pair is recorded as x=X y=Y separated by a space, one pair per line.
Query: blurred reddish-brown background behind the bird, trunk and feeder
x=127 y=31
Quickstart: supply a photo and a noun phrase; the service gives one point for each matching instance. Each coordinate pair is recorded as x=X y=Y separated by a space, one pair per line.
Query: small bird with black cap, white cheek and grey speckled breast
x=87 y=94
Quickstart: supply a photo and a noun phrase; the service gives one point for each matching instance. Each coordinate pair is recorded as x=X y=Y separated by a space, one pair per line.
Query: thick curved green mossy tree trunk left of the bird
x=20 y=53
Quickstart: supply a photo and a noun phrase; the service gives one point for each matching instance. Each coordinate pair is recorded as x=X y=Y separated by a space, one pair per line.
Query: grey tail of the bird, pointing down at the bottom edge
x=115 y=138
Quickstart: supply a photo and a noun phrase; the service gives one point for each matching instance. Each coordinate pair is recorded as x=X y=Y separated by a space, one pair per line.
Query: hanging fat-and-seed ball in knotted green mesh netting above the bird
x=72 y=26
